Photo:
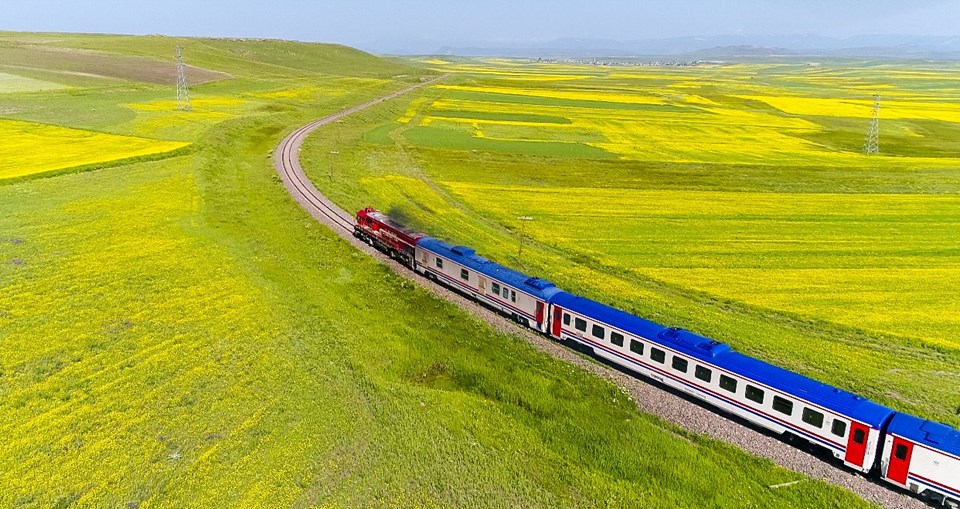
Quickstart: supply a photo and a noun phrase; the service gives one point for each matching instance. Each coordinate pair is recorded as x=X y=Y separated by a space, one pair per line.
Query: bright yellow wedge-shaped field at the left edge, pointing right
x=30 y=148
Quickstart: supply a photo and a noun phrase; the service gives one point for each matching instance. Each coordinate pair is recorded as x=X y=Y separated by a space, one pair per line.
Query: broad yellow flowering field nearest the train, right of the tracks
x=813 y=254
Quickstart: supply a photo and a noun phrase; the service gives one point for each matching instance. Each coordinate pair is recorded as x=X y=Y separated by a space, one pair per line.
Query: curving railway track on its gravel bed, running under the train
x=649 y=396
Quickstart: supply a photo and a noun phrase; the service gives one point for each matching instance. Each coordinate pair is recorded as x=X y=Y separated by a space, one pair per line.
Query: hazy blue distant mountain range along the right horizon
x=713 y=47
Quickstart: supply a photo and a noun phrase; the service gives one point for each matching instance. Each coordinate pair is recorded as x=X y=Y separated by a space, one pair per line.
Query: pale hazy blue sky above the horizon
x=361 y=23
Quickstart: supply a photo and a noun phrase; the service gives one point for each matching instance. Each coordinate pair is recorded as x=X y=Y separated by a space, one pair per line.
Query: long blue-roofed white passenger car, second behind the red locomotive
x=847 y=425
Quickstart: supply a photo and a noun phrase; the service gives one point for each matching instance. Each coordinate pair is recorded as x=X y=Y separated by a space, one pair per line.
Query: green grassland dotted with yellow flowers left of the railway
x=179 y=333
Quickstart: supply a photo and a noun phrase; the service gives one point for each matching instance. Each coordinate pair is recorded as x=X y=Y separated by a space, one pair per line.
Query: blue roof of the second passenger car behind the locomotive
x=721 y=355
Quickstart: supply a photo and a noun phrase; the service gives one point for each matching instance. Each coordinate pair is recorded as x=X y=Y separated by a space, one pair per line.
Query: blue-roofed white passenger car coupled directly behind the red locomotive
x=522 y=297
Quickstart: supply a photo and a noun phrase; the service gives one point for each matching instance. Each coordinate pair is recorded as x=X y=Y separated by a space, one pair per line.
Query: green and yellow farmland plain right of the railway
x=729 y=200
